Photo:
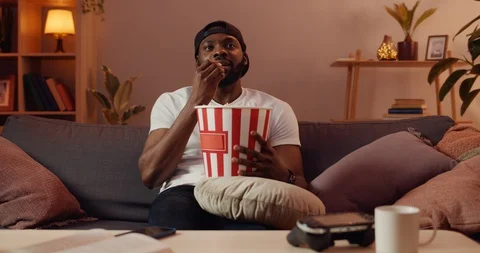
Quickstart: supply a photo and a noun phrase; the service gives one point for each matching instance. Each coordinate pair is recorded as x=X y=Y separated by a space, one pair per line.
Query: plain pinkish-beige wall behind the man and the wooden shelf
x=291 y=44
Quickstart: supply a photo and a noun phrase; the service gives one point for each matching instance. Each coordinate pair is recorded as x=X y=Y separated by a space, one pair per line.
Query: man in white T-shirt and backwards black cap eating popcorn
x=172 y=158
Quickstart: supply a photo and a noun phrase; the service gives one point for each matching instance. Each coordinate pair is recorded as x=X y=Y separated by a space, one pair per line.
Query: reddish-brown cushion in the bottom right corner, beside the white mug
x=450 y=200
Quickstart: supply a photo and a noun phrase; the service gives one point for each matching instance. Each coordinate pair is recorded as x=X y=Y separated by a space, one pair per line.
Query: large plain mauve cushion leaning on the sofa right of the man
x=379 y=173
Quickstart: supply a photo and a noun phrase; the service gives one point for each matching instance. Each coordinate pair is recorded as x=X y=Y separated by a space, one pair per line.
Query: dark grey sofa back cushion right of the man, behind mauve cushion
x=324 y=144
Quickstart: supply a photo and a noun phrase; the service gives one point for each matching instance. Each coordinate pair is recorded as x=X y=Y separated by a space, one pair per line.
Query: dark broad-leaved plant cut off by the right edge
x=470 y=74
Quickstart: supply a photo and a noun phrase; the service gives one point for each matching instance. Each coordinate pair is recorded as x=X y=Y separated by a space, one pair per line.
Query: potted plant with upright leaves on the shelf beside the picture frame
x=408 y=49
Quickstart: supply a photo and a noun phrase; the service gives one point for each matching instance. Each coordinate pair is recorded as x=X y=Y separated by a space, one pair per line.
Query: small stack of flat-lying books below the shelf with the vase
x=406 y=108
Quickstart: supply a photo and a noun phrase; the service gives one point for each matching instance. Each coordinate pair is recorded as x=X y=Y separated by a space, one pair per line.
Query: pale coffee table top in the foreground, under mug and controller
x=241 y=241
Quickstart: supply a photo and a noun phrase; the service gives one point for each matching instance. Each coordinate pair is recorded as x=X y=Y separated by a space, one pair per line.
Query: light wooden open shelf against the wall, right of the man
x=355 y=62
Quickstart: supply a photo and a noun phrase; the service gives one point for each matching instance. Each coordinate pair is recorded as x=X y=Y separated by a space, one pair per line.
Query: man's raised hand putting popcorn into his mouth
x=208 y=76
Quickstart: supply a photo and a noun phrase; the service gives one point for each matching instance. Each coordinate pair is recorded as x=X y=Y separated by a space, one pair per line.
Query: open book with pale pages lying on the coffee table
x=98 y=240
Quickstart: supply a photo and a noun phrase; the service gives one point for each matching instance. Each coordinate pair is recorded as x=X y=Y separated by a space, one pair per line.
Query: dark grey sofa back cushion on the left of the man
x=97 y=163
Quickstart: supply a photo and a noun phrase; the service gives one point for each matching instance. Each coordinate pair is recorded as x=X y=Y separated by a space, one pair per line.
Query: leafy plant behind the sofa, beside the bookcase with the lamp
x=116 y=109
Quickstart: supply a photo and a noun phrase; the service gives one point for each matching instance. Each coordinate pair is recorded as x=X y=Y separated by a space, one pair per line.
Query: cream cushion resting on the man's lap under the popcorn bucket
x=255 y=199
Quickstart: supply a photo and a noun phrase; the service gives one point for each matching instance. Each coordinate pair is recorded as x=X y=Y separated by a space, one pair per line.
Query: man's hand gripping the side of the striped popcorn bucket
x=266 y=162
